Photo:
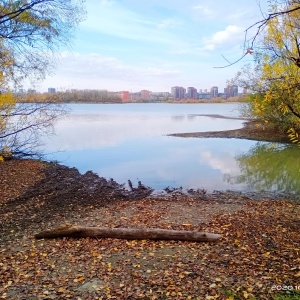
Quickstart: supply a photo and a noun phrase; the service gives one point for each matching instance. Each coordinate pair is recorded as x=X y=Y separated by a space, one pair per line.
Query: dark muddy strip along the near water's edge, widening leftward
x=42 y=194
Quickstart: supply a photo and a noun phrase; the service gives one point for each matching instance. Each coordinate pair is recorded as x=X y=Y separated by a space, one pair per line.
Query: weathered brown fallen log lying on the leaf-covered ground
x=128 y=233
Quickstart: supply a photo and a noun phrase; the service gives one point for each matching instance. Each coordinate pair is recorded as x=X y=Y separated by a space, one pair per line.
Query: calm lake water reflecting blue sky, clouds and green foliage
x=129 y=141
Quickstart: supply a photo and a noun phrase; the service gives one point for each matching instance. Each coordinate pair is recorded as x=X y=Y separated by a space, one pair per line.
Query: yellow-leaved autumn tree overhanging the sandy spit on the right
x=274 y=82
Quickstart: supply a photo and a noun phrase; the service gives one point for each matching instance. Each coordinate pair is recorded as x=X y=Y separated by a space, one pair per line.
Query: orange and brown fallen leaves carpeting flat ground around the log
x=259 y=249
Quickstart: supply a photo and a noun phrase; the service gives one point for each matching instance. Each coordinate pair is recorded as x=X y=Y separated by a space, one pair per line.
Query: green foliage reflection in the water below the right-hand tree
x=269 y=167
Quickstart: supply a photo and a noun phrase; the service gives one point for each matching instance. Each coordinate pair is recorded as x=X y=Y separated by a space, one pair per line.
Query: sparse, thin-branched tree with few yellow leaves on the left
x=31 y=33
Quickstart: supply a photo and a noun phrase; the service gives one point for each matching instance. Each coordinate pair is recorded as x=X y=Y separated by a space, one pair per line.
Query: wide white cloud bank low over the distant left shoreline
x=97 y=71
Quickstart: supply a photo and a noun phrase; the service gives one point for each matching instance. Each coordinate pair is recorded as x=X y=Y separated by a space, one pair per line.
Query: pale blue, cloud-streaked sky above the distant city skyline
x=156 y=44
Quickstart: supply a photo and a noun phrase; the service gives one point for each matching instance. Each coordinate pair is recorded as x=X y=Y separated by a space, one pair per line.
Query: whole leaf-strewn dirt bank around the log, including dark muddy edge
x=259 y=249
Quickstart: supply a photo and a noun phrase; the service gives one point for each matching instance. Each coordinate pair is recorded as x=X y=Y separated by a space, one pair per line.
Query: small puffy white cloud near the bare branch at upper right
x=229 y=37
